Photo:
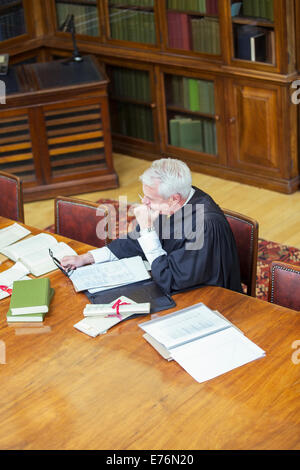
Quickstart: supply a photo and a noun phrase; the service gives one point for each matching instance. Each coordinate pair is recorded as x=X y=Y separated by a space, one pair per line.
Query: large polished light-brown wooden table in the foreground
x=65 y=390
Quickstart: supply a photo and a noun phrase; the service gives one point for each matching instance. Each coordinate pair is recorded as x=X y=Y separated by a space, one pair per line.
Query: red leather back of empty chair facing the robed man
x=81 y=220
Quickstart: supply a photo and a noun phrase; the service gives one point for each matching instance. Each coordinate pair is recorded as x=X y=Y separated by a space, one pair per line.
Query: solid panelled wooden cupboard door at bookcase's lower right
x=260 y=133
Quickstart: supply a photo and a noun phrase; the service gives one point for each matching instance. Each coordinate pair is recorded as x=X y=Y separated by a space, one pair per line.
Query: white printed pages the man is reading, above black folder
x=102 y=276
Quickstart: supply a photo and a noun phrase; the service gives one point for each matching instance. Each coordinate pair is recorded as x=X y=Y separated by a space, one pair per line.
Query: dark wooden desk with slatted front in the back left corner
x=55 y=128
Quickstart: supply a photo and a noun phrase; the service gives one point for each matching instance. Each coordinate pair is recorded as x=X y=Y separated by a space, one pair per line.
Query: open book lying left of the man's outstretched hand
x=33 y=253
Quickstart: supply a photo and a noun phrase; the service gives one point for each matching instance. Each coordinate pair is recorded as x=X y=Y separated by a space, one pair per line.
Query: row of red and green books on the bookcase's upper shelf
x=201 y=34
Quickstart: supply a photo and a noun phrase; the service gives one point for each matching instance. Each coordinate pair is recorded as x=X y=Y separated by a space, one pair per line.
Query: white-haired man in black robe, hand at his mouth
x=181 y=231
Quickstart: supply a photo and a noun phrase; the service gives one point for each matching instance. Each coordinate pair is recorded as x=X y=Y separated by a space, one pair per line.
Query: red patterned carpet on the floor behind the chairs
x=268 y=251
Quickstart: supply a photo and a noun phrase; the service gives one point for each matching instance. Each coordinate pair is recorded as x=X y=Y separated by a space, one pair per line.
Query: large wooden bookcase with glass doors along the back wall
x=242 y=56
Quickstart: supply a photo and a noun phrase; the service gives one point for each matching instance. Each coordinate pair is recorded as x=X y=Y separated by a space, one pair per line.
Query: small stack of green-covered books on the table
x=30 y=300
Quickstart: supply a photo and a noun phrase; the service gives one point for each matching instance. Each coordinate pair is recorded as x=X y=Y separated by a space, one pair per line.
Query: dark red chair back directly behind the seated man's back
x=245 y=231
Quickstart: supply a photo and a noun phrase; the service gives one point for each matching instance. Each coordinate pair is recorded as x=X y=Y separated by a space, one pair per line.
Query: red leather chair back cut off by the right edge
x=284 y=285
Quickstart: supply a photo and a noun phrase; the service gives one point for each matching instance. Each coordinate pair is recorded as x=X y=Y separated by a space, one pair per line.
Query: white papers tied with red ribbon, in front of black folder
x=100 y=317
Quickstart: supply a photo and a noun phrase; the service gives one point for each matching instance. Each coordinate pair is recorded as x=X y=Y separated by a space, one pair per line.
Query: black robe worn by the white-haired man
x=200 y=248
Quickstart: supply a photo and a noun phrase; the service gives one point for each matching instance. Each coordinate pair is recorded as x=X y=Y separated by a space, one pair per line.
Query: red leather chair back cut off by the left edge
x=11 y=197
